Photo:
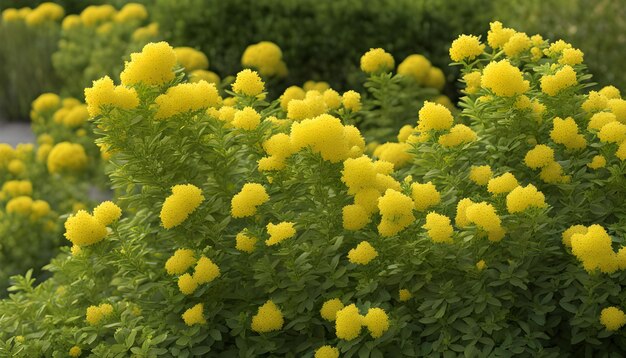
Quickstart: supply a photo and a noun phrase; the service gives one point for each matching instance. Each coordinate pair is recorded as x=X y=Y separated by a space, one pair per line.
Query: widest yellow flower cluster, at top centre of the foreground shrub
x=327 y=136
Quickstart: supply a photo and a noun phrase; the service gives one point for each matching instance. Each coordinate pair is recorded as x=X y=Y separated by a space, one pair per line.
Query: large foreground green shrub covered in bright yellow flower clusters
x=244 y=226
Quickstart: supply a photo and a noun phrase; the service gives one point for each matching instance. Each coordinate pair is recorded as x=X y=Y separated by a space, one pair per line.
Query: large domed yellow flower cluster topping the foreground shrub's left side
x=153 y=66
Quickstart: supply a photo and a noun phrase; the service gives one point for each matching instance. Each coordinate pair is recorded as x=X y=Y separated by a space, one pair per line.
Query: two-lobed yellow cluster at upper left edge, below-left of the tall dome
x=104 y=93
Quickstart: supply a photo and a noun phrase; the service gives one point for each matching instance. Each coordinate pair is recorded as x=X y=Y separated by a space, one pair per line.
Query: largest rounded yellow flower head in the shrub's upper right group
x=504 y=79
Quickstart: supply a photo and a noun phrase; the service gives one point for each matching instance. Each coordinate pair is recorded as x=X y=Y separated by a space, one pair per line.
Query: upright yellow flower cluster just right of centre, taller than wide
x=396 y=210
